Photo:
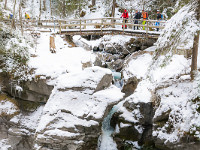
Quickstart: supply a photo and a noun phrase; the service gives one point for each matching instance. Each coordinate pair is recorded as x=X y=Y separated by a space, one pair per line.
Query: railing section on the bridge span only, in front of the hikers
x=103 y=23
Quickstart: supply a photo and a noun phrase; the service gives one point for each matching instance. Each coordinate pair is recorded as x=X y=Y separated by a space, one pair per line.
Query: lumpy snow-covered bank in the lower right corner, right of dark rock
x=183 y=115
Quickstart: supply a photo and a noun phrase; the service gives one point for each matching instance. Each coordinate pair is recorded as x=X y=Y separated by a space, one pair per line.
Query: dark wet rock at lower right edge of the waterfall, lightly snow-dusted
x=139 y=129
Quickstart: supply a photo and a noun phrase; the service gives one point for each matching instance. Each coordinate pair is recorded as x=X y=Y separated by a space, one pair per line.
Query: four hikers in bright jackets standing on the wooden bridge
x=138 y=16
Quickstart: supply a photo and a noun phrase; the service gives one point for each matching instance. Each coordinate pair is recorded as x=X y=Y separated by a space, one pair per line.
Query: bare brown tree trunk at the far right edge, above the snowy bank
x=195 y=45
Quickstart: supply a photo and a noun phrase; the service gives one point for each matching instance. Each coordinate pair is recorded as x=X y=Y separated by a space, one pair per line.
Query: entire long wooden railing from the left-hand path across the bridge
x=96 y=23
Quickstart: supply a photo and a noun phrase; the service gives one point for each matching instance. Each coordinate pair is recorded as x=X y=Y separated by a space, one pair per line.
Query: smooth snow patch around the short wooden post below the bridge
x=65 y=60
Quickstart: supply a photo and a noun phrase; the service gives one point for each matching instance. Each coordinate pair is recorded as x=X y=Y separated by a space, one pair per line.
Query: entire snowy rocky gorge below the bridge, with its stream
x=101 y=93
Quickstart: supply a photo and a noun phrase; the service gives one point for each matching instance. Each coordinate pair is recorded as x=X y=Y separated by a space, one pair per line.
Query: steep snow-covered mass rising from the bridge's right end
x=179 y=30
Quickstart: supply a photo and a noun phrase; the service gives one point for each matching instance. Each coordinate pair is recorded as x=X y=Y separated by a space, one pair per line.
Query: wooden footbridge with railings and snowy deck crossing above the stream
x=99 y=26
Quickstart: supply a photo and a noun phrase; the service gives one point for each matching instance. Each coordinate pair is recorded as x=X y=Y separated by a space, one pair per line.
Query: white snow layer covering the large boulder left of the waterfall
x=68 y=107
